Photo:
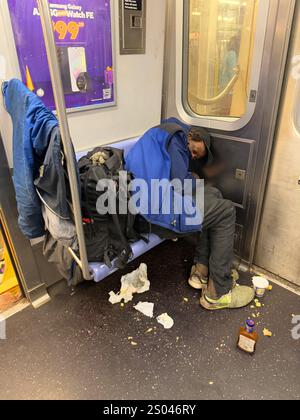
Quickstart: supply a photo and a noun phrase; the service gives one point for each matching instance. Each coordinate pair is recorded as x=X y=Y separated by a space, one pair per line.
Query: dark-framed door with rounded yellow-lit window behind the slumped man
x=224 y=70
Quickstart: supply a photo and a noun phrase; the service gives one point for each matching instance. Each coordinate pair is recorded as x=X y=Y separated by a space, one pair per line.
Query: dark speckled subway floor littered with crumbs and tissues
x=79 y=346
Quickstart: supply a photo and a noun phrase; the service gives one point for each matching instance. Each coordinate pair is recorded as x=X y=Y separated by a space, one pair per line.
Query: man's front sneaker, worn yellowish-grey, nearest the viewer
x=239 y=297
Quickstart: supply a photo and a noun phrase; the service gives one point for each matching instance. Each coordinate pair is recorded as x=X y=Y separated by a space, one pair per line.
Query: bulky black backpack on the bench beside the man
x=107 y=236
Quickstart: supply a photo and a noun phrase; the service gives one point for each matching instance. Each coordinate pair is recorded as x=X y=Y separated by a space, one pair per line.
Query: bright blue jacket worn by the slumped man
x=151 y=159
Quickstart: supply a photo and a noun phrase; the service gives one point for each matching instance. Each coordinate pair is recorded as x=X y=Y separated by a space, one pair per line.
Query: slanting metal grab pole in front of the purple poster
x=64 y=128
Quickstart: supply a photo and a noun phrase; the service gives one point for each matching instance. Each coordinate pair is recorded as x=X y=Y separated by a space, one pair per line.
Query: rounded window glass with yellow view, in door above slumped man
x=221 y=36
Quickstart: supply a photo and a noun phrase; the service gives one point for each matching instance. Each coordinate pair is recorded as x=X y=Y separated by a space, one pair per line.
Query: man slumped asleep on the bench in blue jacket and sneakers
x=188 y=155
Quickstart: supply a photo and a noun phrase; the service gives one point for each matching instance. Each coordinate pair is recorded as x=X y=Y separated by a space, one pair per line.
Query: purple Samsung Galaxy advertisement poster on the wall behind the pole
x=84 y=44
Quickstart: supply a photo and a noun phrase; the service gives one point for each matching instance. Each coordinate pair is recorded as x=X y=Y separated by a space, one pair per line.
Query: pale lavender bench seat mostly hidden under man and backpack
x=100 y=270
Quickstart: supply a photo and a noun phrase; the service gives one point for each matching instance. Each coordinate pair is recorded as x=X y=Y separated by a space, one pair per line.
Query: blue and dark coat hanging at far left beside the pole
x=36 y=136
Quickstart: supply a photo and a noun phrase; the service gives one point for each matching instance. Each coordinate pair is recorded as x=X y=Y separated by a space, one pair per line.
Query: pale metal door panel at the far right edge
x=278 y=249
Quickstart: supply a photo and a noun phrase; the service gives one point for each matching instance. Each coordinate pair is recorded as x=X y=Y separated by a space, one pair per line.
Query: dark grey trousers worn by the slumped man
x=216 y=242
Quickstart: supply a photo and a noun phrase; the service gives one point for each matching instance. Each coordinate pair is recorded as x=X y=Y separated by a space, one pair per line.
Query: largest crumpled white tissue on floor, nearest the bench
x=135 y=282
